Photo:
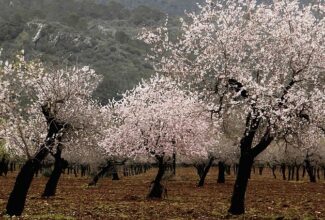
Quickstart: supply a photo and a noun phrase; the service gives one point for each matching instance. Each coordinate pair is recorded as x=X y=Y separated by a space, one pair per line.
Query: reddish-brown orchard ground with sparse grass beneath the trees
x=126 y=199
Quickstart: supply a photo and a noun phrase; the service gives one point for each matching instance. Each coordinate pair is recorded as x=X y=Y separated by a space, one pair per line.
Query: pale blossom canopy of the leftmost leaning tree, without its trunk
x=36 y=99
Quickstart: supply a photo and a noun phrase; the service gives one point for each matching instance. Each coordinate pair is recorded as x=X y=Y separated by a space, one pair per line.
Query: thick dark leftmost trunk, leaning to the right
x=17 y=198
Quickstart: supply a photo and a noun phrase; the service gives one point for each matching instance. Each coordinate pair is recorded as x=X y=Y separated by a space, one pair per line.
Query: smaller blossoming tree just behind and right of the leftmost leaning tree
x=79 y=142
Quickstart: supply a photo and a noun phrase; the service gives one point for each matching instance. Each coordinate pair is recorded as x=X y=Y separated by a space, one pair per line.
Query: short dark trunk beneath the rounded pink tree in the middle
x=157 y=190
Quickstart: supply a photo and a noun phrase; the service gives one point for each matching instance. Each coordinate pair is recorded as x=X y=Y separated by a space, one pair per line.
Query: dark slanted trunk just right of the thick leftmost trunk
x=59 y=165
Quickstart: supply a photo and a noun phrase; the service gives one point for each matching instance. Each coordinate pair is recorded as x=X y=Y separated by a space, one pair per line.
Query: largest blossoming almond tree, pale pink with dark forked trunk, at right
x=267 y=59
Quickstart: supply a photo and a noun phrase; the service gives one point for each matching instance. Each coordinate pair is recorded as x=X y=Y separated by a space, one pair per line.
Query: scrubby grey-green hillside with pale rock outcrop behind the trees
x=68 y=32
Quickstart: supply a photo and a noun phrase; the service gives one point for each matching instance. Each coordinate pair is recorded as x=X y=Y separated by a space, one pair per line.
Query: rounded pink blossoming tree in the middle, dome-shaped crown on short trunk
x=157 y=119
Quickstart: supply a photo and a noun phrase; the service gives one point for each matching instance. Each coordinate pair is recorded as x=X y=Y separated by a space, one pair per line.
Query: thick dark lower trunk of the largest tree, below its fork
x=238 y=197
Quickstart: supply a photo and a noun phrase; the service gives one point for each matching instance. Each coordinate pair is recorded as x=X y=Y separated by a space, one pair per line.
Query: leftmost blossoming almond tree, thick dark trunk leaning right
x=45 y=108
